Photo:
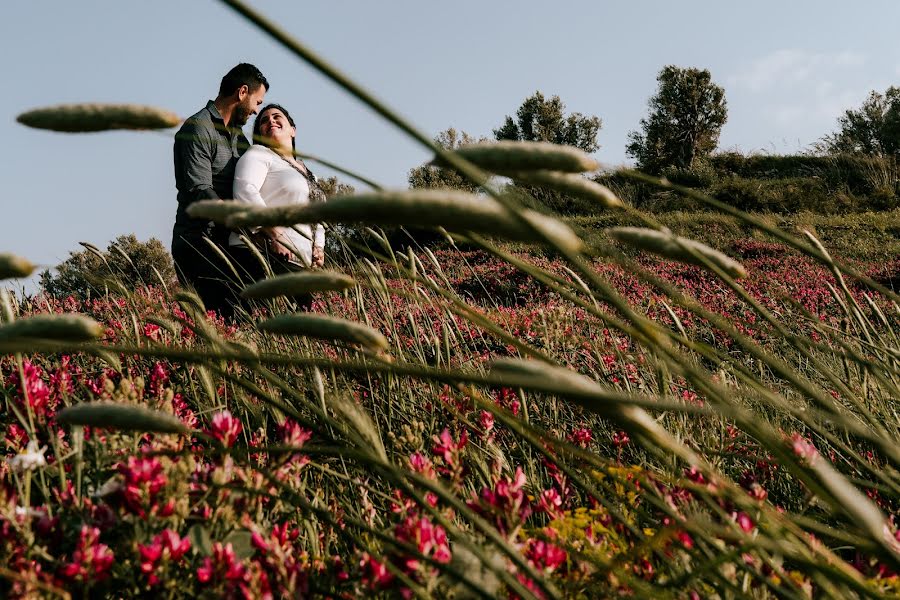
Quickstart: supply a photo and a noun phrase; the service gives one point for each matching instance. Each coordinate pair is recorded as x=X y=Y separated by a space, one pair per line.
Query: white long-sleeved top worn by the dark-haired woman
x=263 y=178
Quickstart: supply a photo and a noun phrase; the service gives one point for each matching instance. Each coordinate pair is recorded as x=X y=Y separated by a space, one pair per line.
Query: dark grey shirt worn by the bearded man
x=206 y=152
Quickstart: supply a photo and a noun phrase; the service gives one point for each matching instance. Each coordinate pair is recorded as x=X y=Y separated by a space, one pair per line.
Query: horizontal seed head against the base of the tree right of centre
x=507 y=156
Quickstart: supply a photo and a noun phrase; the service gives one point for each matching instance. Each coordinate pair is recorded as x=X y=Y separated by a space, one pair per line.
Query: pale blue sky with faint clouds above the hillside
x=789 y=69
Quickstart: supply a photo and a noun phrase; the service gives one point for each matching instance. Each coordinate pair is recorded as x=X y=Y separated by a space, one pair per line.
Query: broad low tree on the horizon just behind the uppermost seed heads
x=543 y=120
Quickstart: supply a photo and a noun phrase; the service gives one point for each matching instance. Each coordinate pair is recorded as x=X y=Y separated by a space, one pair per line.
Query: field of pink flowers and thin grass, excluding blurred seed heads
x=314 y=468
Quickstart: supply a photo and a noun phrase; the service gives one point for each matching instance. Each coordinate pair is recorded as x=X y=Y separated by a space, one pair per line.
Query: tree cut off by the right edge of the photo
x=873 y=129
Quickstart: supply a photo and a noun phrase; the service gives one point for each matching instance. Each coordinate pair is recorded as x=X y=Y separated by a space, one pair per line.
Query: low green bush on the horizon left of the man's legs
x=130 y=261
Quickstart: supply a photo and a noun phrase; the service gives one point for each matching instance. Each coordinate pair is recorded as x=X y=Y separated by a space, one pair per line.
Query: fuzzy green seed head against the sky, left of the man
x=84 y=118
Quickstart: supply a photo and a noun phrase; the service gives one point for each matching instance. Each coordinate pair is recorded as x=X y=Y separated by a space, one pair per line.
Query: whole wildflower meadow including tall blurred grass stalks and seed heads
x=522 y=407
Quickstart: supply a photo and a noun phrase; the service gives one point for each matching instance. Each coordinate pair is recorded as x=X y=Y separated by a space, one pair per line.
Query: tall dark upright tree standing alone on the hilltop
x=686 y=115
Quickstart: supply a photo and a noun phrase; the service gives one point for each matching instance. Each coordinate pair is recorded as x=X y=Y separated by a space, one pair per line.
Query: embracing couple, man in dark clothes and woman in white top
x=214 y=160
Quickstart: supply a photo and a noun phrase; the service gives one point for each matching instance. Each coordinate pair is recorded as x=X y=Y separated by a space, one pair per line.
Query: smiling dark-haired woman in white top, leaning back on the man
x=268 y=174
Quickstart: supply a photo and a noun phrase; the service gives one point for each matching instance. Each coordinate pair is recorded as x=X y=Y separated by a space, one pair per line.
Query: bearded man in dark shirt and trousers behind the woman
x=207 y=148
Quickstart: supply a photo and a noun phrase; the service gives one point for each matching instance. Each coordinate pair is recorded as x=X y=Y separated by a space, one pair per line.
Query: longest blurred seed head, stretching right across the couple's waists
x=453 y=210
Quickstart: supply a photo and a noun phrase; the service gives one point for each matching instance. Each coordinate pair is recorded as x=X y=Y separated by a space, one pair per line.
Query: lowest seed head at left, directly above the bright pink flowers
x=113 y=415
